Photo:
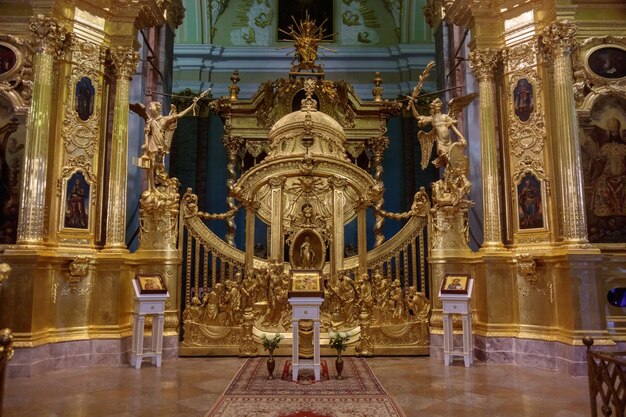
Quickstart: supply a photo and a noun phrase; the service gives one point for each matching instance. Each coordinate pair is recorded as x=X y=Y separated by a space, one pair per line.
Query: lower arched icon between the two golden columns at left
x=77 y=191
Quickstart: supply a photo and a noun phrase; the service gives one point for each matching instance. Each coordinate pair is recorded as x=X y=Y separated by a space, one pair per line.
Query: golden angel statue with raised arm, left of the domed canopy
x=158 y=133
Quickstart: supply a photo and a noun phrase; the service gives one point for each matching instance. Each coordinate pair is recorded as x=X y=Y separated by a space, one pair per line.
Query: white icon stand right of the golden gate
x=457 y=304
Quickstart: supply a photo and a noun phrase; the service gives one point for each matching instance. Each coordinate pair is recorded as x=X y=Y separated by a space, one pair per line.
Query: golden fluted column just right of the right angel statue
x=483 y=63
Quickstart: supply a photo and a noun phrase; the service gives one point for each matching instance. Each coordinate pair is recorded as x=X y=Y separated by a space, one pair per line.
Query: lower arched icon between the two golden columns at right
x=530 y=201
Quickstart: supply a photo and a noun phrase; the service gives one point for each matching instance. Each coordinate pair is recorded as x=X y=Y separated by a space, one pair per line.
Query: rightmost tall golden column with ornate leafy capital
x=558 y=41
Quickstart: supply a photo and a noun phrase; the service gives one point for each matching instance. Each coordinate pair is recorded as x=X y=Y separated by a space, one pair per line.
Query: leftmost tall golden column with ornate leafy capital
x=49 y=40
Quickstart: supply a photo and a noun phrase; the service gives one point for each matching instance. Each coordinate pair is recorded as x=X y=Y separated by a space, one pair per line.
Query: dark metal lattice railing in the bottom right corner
x=607 y=381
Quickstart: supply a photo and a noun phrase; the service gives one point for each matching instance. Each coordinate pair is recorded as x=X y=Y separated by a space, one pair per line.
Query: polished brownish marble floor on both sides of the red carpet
x=188 y=387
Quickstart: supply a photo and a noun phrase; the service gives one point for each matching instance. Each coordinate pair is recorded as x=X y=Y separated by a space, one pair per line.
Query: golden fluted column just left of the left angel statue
x=124 y=60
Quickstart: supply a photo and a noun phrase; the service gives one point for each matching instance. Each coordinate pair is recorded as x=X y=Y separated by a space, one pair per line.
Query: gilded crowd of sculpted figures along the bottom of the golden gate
x=264 y=292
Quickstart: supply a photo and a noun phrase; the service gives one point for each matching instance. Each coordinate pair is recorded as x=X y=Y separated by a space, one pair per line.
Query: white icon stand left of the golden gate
x=154 y=305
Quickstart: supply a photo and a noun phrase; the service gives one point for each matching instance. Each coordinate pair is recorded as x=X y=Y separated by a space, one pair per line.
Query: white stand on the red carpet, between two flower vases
x=305 y=308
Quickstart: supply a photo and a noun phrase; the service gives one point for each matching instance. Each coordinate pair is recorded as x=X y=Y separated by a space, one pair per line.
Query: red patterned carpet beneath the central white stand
x=358 y=394
